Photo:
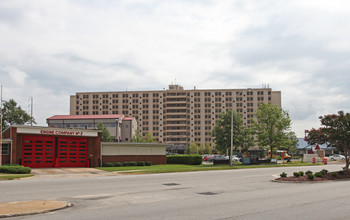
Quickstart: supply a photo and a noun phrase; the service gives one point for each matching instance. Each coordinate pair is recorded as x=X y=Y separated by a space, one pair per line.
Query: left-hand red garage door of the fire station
x=38 y=151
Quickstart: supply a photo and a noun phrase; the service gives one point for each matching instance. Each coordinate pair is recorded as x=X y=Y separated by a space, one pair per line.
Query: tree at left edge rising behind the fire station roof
x=14 y=115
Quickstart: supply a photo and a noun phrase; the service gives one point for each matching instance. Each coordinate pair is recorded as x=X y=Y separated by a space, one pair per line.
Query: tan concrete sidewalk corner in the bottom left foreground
x=11 y=209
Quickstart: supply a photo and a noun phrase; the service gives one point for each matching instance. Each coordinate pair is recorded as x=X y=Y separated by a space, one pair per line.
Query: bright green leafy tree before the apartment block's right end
x=272 y=126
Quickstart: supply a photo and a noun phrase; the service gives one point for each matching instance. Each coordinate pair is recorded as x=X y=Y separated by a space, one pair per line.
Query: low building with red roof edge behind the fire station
x=121 y=127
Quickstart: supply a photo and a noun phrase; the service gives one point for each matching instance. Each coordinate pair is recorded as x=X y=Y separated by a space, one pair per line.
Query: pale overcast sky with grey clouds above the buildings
x=50 y=50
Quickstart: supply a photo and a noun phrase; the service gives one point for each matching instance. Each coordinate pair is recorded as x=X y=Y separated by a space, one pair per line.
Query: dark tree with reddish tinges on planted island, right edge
x=335 y=132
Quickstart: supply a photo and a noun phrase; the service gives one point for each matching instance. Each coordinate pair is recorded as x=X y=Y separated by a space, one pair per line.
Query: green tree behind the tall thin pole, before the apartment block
x=222 y=131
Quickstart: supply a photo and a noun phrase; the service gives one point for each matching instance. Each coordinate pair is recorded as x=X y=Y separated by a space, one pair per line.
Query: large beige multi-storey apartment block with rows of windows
x=175 y=115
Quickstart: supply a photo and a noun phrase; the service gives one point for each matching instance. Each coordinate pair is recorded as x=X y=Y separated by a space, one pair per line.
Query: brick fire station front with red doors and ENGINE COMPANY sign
x=38 y=147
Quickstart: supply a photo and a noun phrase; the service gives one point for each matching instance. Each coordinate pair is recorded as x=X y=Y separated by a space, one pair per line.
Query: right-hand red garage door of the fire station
x=72 y=152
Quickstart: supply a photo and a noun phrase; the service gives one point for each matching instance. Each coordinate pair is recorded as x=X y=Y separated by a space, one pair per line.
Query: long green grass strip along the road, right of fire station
x=169 y=168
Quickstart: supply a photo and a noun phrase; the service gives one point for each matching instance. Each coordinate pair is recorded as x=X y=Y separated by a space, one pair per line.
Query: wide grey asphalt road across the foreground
x=230 y=194
